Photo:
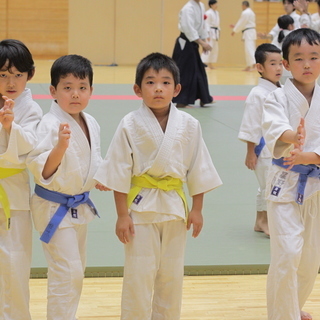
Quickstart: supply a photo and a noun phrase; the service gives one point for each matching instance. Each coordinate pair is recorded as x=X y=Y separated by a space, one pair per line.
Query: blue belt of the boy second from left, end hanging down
x=66 y=202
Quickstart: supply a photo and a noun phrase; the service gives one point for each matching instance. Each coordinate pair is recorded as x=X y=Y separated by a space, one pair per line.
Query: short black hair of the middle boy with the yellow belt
x=157 y=61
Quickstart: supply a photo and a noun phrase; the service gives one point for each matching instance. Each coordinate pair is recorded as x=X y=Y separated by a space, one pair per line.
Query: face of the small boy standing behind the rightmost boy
x=271 y=69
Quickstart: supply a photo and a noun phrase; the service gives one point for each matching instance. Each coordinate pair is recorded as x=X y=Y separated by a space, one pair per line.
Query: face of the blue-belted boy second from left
x=72 y=94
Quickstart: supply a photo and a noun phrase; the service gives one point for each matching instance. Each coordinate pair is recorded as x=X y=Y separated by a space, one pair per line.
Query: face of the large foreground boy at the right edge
x=304 y=62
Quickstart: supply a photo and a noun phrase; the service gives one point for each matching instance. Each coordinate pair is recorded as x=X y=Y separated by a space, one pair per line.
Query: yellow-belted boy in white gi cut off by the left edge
x=19 y=116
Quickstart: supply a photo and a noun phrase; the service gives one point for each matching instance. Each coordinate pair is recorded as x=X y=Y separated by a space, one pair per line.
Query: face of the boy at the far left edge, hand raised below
x=12 y=83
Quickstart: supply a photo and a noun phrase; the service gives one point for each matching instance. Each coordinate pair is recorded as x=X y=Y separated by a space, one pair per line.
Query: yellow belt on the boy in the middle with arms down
x=165 y=184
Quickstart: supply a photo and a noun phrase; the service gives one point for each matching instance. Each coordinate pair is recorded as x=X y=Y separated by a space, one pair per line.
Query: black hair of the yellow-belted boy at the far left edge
x=14 y=53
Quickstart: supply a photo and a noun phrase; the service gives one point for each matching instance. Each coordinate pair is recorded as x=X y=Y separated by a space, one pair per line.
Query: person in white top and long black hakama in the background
x=193 y=77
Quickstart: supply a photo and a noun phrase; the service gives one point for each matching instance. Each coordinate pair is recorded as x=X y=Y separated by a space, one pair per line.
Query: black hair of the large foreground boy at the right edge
x=296 y=37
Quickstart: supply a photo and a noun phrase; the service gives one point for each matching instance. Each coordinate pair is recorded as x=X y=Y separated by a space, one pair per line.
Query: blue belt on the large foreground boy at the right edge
x=305 y=172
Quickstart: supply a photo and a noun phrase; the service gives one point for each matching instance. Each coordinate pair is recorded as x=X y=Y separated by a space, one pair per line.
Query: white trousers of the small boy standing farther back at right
x=261 y=172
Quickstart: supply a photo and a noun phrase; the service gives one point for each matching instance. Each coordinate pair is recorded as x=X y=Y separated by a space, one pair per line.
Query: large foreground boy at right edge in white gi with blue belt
x=291 y=130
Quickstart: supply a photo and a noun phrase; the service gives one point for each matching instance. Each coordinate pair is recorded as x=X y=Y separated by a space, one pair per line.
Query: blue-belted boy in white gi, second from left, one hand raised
x=63 y=165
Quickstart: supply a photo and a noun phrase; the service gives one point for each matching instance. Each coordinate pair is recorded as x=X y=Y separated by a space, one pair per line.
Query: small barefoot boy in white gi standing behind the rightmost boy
x=269 y=65
